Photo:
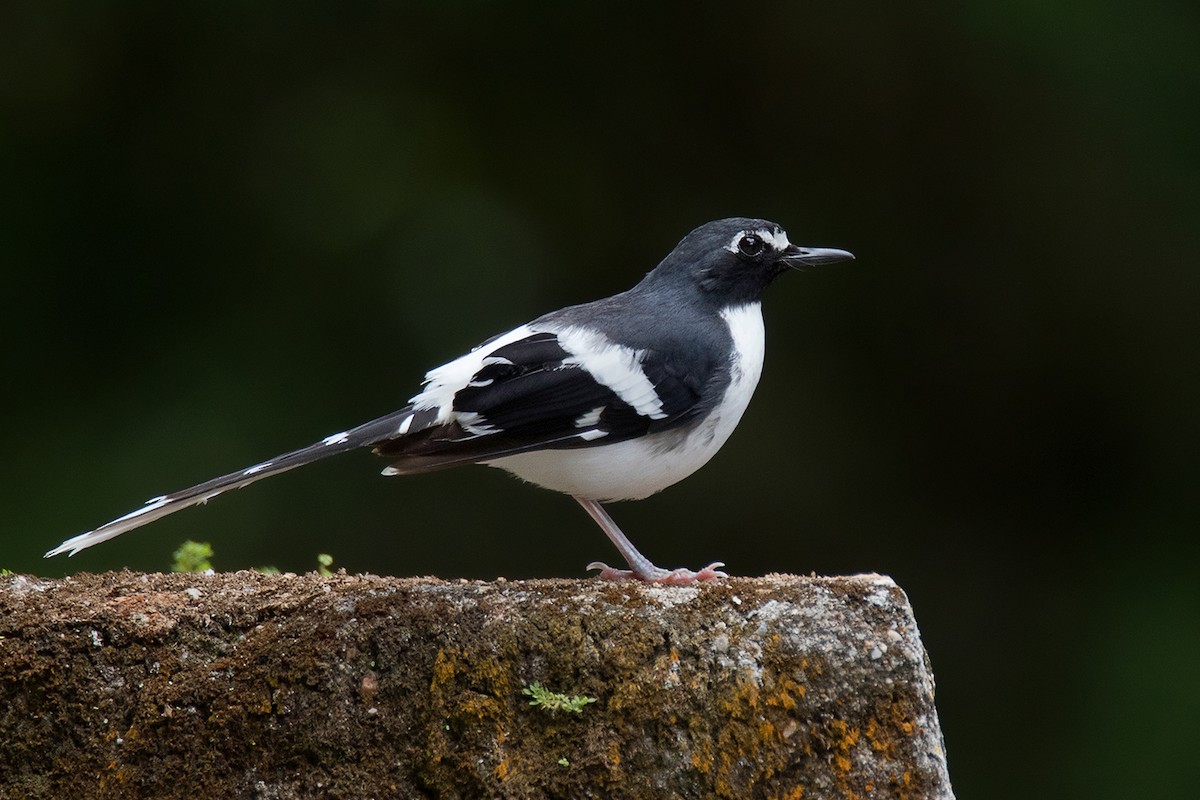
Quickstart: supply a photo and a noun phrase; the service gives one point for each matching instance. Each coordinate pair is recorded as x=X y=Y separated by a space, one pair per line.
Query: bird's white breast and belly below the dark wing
x=635 y=470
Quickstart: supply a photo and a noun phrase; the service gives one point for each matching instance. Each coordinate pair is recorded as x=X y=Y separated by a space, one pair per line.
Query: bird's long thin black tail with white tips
x=364 y=436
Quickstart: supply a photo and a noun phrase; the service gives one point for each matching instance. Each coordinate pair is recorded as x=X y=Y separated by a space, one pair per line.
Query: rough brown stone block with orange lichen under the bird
x=128 y=685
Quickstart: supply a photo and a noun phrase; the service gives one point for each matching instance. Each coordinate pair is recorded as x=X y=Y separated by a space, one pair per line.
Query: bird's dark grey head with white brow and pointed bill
x=734 y=261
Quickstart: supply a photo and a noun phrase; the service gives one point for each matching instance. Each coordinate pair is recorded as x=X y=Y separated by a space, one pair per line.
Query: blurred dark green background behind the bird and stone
x=230 y=230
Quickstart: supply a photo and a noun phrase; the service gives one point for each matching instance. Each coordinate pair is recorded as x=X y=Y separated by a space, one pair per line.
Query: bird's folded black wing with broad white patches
x=544 y=389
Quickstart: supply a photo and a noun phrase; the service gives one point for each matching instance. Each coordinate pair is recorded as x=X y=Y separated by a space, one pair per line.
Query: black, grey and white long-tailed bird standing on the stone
x=607 y=401
